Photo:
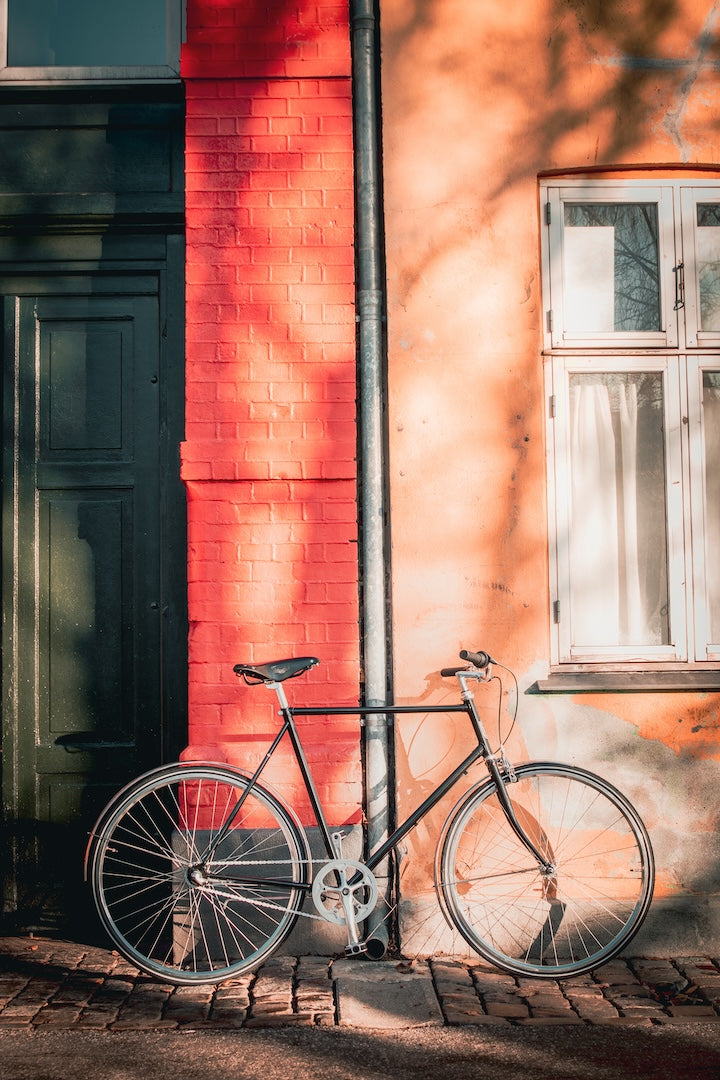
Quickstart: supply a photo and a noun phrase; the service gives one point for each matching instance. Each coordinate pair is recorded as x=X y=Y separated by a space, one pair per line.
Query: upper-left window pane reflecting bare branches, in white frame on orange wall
x=612 y=268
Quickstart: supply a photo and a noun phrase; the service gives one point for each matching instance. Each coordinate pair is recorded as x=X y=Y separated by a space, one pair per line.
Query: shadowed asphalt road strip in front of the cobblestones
x=683 y=1051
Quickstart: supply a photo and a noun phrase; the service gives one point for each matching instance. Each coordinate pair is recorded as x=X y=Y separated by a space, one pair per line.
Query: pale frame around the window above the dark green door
x=168 y=72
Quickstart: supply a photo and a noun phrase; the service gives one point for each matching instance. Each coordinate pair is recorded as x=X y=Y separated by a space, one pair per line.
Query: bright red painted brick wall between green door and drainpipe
x=269 y=458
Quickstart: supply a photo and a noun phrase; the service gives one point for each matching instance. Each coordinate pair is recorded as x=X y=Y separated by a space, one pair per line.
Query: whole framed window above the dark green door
x=81 y=40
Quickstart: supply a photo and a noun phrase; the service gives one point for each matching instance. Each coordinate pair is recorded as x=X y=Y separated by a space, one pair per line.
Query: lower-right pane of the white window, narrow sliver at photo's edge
x=712 y=431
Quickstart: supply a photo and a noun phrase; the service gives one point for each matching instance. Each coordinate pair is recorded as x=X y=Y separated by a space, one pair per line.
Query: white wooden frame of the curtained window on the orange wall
x=682 y=353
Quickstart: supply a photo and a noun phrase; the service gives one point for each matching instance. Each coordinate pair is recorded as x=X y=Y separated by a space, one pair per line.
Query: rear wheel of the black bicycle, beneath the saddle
x=182 y=917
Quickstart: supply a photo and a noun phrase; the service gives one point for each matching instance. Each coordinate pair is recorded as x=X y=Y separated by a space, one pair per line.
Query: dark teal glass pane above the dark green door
x=87 y=34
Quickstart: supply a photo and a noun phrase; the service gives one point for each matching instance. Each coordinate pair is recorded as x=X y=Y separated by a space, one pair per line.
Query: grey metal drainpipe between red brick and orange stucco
x=371 y=340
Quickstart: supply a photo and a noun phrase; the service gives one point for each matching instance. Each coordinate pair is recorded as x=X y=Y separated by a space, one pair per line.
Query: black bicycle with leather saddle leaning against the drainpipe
x=200 y=872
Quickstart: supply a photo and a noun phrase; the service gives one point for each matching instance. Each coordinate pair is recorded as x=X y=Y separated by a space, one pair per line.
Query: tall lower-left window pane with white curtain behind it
x=618 y=534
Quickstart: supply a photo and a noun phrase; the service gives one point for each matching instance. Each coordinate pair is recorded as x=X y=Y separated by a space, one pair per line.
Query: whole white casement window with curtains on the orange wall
x=632 y=290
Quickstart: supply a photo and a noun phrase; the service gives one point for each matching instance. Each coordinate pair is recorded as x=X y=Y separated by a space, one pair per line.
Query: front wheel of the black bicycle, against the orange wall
x=547 y=925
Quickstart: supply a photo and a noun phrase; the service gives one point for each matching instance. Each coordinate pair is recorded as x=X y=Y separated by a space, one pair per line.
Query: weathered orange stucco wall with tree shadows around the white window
x=479 y=101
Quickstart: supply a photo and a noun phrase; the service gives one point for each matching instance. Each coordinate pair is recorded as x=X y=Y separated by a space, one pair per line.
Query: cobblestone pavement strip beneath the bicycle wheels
x=47 y=983
